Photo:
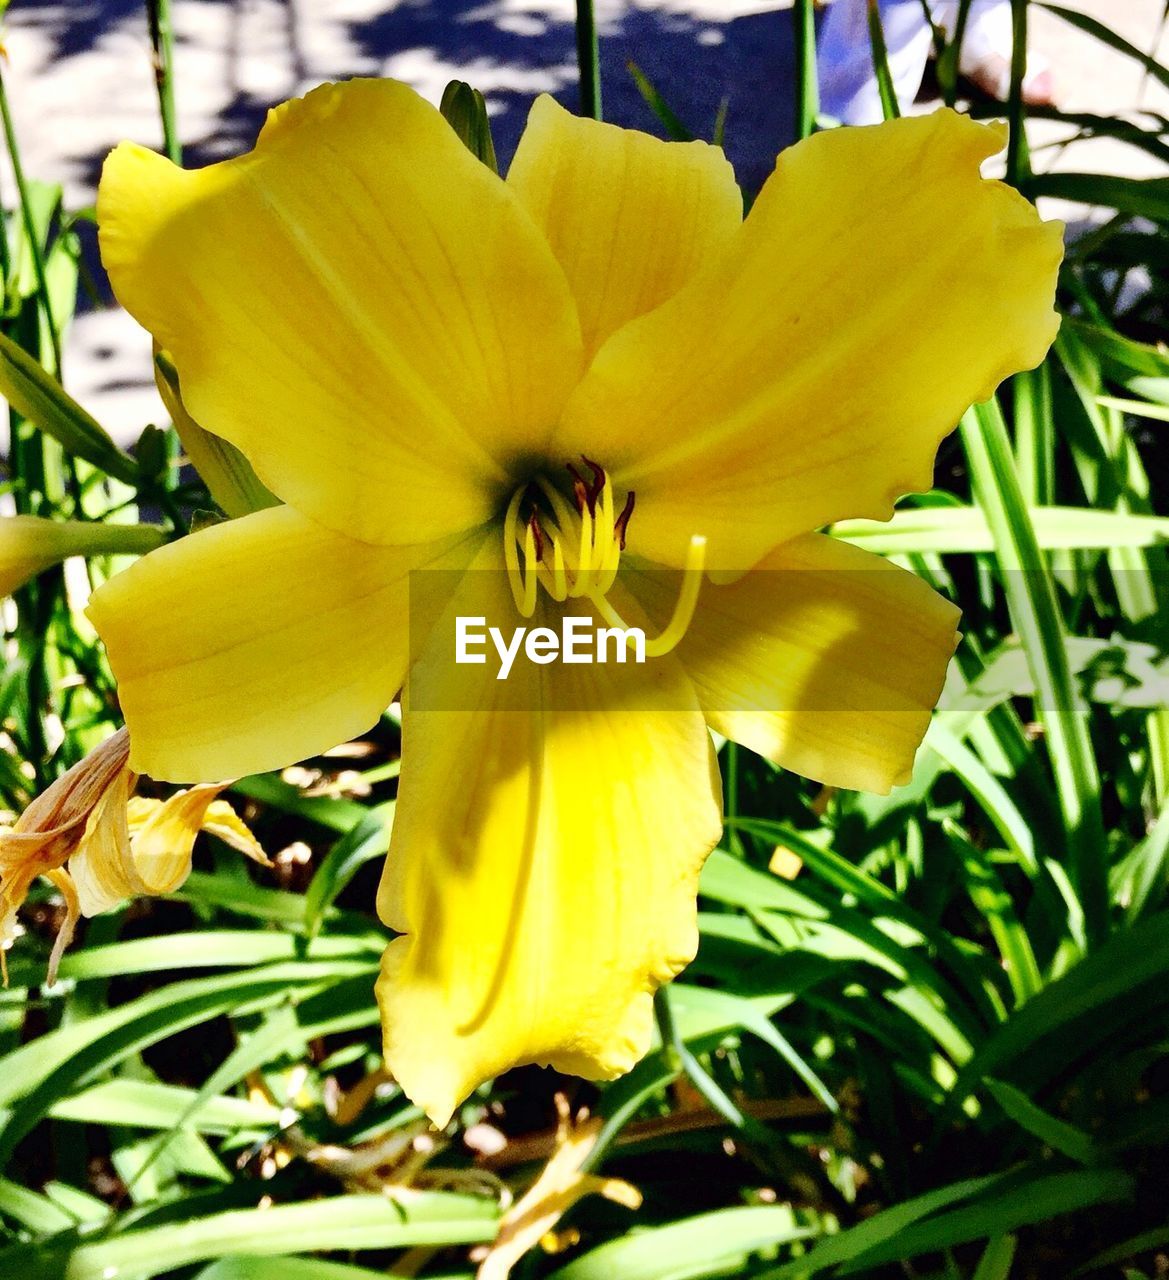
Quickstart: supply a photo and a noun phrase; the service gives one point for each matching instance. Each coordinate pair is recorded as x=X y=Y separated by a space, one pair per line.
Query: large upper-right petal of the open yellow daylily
x=879 y=287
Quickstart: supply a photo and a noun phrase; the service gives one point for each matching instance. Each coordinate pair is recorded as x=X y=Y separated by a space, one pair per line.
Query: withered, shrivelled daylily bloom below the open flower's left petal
x=101 y=844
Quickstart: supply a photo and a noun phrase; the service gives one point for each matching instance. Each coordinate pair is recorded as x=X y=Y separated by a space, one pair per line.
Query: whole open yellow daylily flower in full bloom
x=412 y=353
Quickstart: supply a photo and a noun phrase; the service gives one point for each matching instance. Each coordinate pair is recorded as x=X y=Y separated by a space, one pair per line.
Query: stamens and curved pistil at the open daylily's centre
x=573 y=548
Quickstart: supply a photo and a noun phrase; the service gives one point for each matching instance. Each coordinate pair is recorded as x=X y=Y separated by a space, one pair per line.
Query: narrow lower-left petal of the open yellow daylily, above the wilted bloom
x=254 y=644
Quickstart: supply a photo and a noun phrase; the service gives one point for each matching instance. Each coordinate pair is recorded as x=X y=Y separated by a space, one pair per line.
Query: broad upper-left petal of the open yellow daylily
x=359 y=305
